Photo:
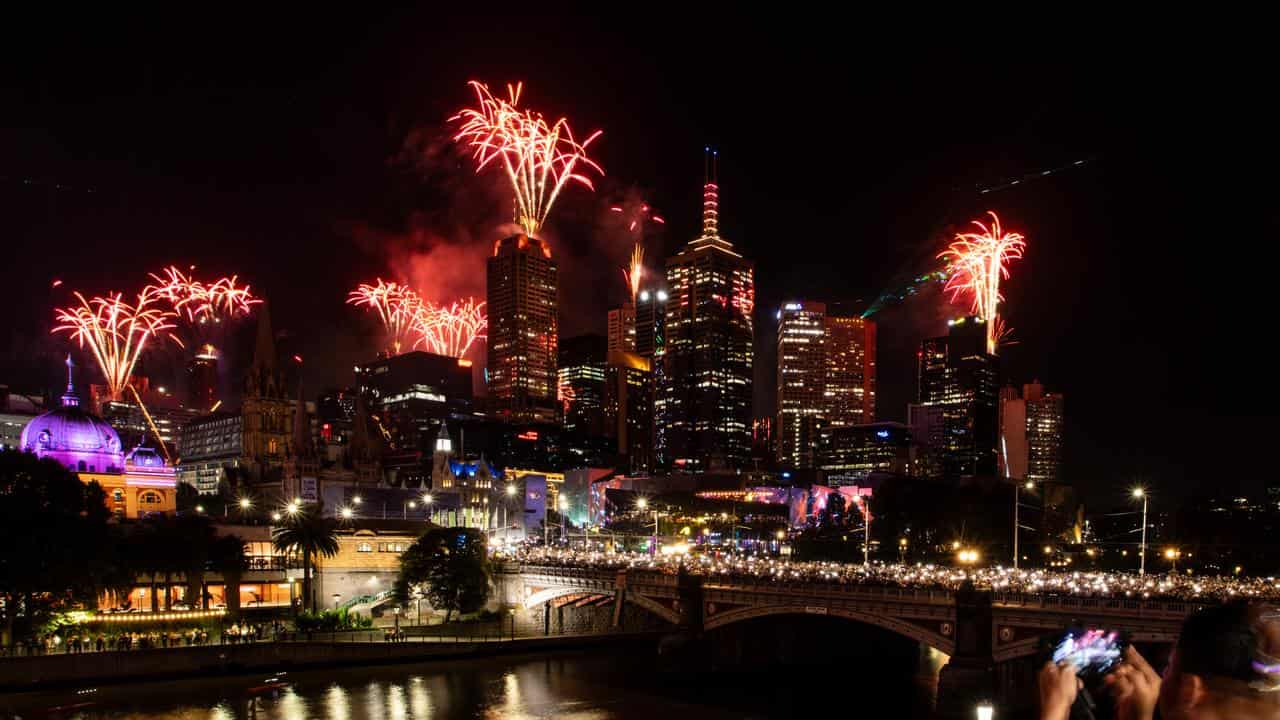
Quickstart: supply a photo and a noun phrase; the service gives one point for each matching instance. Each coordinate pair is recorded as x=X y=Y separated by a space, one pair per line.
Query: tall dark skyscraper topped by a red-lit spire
x=706 y=404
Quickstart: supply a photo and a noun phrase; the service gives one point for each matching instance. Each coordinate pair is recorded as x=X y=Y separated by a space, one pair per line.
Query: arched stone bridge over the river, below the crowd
x=990 y=636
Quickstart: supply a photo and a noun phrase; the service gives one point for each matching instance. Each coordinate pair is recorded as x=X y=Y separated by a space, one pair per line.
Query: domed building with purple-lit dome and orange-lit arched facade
x=138 y=484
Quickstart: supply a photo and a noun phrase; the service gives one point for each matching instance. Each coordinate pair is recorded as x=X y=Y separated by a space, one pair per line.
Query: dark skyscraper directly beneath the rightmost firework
x=958 y=376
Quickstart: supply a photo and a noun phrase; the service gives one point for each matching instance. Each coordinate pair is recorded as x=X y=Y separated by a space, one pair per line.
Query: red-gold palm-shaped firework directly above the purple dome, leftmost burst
x=116 y=331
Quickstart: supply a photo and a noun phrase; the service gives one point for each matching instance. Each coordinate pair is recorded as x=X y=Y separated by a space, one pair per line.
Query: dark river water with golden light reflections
x=573 y=686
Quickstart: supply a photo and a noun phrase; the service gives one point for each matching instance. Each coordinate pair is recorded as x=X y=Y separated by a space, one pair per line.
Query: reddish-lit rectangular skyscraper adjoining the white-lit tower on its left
x=851 y=393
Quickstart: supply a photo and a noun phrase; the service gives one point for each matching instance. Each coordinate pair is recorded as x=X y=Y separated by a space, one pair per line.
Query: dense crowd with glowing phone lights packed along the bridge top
x=1084 y=584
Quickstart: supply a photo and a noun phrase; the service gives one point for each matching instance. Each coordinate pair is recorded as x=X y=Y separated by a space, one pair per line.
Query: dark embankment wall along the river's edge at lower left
x=19 y=675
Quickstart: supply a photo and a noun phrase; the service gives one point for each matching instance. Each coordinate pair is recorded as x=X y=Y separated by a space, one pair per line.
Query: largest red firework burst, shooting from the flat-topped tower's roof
x=541 y=158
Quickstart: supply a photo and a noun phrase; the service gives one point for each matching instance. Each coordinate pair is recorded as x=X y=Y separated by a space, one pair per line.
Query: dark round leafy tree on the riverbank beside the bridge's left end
x=450 y=567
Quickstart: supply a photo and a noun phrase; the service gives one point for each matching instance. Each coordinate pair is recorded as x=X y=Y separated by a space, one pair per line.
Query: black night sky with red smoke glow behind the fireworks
x=312 y=153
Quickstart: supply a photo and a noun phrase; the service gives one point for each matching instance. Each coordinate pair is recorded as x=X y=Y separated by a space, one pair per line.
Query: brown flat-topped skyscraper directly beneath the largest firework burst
x=523 y=330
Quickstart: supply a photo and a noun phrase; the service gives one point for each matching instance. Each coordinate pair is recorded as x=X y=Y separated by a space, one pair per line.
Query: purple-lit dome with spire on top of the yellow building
x=75 y=439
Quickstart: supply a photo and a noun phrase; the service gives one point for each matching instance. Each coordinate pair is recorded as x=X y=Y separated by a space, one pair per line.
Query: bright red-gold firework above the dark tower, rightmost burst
x=977 y=262
